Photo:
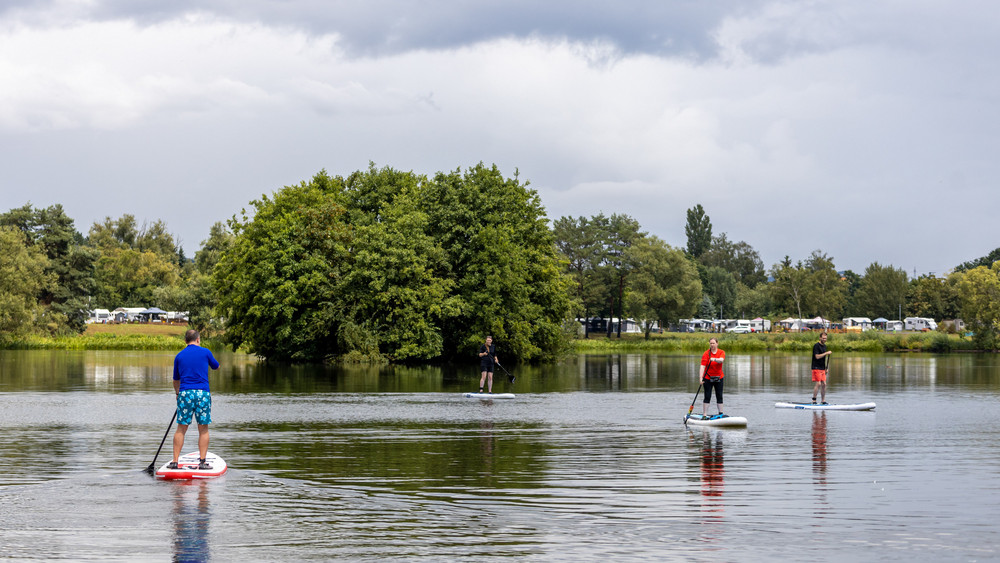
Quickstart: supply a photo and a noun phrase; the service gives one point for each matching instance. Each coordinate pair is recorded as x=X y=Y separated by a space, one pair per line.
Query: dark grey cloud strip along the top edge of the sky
x=381 y=27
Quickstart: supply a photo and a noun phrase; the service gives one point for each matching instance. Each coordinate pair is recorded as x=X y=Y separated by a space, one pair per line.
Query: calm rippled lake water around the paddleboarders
x=591 y=462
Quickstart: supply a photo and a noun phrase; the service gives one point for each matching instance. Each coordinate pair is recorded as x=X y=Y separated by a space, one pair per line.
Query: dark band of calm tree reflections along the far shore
x=123 y=371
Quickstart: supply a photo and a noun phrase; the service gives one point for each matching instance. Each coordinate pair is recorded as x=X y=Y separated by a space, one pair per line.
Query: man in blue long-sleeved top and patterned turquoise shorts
x=194 y=400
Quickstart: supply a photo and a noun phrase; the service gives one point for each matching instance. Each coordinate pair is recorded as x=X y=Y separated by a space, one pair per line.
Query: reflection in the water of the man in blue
x=191 y=517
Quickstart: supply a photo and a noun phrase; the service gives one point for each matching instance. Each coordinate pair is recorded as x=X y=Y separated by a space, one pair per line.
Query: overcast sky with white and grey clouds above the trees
x=865 y=129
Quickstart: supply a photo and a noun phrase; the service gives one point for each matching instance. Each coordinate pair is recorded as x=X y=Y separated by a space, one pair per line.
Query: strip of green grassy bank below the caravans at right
x=871 y=341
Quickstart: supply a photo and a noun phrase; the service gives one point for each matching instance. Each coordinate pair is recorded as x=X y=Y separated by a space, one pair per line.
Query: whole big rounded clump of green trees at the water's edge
x=389 y=265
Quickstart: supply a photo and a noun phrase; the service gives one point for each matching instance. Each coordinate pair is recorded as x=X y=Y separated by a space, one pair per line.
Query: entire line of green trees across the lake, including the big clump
x=387 y=265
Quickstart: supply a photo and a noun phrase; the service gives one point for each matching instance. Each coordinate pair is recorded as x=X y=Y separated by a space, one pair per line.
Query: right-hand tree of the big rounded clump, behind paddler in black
x=502 y=255
